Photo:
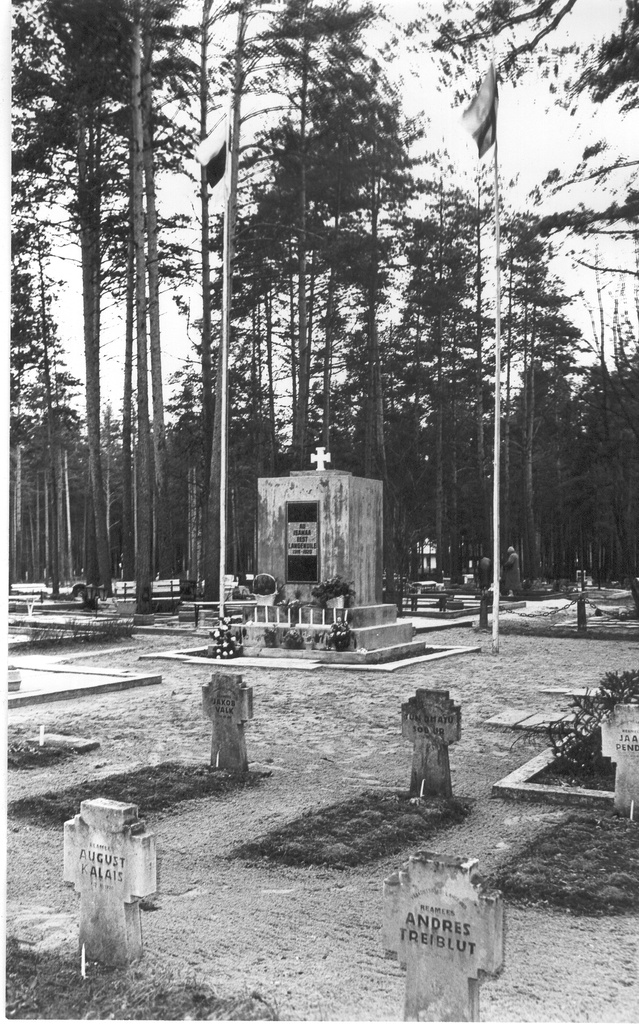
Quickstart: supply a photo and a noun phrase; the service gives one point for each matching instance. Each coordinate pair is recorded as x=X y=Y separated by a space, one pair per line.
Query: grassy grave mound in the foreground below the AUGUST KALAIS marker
x=50 y=987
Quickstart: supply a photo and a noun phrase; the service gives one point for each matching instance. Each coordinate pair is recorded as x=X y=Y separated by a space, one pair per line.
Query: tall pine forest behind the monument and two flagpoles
x=363 y=297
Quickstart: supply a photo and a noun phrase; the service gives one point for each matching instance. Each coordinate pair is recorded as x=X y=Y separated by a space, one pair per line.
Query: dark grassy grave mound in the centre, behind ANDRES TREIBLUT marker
x=357 y=831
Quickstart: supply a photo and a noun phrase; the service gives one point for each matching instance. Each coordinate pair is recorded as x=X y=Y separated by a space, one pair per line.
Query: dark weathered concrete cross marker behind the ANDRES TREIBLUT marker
x=432 y=721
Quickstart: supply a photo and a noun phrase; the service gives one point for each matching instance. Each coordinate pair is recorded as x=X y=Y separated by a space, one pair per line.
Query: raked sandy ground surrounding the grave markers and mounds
x=309 y=940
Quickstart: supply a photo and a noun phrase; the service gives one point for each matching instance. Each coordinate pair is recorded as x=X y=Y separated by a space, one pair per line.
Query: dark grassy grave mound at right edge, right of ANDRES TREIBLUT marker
x=586 y=866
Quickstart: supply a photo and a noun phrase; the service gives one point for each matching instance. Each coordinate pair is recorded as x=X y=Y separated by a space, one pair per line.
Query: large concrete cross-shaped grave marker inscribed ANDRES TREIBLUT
x=446 y=930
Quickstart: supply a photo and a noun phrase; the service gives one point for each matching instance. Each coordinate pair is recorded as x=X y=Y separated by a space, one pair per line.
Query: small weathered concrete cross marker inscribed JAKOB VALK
x=229 y=703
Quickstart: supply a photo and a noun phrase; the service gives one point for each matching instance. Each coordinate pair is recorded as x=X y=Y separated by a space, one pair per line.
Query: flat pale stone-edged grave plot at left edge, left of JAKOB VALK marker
x=44 y=680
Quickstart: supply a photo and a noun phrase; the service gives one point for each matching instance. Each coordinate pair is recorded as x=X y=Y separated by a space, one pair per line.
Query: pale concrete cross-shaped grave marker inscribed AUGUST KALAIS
x=111 y=860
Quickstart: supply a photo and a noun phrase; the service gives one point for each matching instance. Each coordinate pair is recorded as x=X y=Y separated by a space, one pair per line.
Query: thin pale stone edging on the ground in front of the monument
x=309 y=665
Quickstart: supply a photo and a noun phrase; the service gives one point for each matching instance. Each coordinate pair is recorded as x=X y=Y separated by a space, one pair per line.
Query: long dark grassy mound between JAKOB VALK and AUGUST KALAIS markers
x=153 y=789
